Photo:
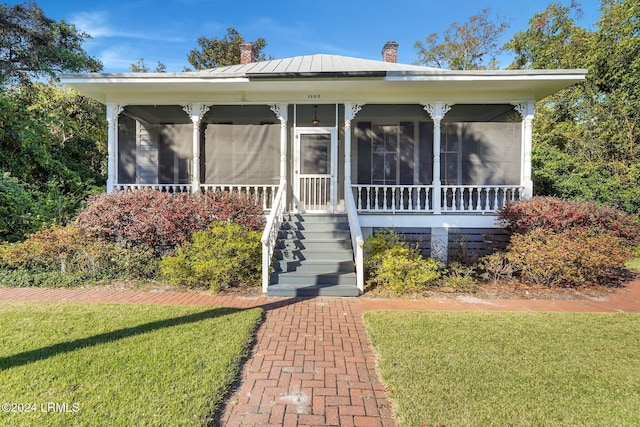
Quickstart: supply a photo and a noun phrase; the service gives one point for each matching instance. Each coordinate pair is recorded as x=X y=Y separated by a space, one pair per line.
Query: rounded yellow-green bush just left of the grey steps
x=225 y=255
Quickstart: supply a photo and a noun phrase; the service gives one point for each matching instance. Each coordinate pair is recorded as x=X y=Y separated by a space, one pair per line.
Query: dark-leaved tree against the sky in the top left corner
x=34 y=46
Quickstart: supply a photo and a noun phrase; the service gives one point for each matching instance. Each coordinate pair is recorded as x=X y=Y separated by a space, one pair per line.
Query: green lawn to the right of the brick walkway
x=509 y=369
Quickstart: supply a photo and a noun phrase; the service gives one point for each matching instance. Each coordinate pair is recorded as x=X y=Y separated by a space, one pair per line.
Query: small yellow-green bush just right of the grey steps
x=402 y=270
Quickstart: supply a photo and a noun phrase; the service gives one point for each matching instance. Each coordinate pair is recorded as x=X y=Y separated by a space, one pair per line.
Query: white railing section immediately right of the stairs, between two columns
x=393 y=198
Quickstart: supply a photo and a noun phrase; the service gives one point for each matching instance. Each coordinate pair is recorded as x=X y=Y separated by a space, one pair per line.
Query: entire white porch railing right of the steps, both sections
x=419 y=198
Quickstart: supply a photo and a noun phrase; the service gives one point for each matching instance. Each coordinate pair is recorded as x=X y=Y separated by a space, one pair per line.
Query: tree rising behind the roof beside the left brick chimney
x=216 y=52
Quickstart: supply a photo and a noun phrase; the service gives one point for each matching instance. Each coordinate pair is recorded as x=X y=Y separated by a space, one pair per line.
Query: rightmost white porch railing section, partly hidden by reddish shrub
x=478 y=198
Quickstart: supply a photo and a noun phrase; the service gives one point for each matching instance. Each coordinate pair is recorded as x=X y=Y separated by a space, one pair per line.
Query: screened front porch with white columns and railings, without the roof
x=396 y=166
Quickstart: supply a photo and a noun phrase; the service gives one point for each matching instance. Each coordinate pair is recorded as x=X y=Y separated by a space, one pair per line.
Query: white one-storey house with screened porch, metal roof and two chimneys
x=333 y=148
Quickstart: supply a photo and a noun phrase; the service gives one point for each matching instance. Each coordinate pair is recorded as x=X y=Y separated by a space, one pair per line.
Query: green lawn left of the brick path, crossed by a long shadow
x=121 y=365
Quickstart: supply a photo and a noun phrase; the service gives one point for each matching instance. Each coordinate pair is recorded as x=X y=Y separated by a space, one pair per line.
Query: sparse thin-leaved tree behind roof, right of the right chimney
x=470 y=46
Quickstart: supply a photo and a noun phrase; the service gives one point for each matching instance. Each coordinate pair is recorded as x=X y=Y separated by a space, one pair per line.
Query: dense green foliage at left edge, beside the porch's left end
x=52 y=154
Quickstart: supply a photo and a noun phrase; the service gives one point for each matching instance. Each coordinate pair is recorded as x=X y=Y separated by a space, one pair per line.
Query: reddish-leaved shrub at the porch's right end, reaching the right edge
x=556 y=215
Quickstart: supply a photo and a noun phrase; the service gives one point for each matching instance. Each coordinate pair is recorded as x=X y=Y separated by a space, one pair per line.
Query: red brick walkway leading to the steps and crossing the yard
x=312 y=364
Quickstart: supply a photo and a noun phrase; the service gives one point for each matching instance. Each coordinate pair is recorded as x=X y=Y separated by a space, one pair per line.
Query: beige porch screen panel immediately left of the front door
x=242 y=154
